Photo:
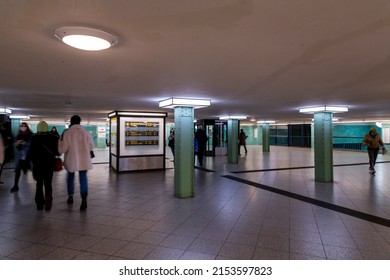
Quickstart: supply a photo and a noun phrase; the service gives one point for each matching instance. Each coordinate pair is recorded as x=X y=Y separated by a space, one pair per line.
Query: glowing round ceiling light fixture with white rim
x=85 y=38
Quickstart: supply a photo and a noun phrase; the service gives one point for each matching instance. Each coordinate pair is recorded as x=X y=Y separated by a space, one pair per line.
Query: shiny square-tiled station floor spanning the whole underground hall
x=267 y=206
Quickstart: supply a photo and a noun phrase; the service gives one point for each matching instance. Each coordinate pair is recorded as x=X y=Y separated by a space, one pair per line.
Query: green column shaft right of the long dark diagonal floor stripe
x=323 y=148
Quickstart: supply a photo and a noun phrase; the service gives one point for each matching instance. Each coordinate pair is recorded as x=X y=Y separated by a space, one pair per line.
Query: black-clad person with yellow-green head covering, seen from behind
x=43 y=151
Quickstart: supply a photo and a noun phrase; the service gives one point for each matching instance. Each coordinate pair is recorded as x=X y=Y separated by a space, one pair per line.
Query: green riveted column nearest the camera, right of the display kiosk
x=184 y=152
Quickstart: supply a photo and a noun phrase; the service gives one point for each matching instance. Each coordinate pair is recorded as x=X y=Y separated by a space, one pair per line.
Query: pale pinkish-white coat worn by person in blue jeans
x=76 y=144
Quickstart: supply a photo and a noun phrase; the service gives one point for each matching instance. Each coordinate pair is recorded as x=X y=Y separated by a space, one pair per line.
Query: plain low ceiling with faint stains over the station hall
x=261 y=58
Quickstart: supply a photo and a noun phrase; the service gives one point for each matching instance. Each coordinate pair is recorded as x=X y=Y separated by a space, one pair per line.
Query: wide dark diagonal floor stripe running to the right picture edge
x=334 y=207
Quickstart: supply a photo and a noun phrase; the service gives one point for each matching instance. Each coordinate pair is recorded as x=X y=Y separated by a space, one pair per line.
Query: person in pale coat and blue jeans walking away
x=76 y=144
